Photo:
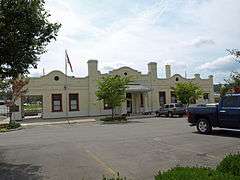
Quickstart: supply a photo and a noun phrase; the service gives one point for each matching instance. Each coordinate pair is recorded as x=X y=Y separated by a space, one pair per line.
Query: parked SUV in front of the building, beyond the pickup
x=171 y=109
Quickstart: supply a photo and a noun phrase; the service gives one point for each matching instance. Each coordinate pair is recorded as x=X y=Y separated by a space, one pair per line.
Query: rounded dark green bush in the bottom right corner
x=230 y=164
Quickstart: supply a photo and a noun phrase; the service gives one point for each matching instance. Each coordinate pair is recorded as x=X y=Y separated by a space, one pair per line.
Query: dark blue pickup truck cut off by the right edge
x=224 y=115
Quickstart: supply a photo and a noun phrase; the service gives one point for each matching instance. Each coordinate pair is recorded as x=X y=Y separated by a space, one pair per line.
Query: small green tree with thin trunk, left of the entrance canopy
x=112 y=89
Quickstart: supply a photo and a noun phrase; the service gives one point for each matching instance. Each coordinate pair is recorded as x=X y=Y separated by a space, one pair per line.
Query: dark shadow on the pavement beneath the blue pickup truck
x=224 y=133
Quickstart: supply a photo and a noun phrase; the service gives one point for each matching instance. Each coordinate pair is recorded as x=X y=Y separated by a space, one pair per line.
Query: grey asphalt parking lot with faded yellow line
x=137 y=149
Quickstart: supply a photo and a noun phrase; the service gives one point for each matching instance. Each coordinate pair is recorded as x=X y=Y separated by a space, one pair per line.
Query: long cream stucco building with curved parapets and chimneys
x=145 y=93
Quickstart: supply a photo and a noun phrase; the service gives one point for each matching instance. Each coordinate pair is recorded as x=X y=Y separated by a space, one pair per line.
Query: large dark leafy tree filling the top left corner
x=25 y=31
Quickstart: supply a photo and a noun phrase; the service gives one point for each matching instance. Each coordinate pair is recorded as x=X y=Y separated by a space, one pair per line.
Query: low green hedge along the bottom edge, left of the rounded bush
x=194 y=173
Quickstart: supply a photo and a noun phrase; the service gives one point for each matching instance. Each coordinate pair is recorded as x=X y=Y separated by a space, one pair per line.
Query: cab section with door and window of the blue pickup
x=229 y=112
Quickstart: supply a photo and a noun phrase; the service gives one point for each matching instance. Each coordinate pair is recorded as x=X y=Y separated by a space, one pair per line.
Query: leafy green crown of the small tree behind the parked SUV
x=187 y=93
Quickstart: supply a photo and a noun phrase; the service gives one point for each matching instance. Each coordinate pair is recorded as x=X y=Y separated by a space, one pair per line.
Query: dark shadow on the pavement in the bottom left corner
x=19 y=172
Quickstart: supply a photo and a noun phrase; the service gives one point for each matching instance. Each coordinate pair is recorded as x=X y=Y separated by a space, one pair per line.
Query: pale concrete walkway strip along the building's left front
x=57 y=122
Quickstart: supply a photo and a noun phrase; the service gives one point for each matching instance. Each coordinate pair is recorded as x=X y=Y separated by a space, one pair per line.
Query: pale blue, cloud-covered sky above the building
x=190 y=35
